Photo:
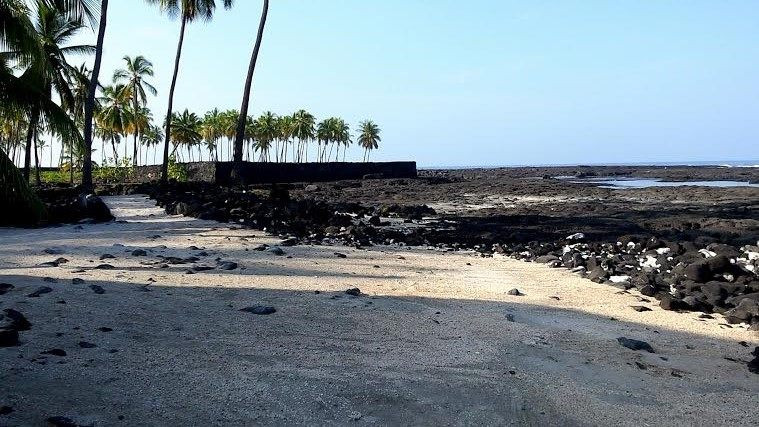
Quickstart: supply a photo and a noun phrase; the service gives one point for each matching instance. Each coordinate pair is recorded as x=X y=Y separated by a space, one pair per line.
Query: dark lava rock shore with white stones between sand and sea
x=690 y=248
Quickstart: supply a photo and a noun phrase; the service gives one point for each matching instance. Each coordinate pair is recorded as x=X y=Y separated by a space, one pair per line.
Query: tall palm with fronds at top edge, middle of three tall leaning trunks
x=188 y=12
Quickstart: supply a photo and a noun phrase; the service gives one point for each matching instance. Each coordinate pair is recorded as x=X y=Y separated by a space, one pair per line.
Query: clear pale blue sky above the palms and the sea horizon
x=480 y=82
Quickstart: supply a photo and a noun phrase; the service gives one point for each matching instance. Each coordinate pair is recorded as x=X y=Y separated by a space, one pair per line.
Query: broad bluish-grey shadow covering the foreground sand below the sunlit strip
x=188 y=355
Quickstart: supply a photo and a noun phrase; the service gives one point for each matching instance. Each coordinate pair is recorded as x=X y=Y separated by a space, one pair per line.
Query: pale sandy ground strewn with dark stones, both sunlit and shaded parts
x=434 y=339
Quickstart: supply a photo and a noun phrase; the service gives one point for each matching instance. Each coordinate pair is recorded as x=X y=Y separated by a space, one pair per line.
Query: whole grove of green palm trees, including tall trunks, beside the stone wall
x=43 y=94
